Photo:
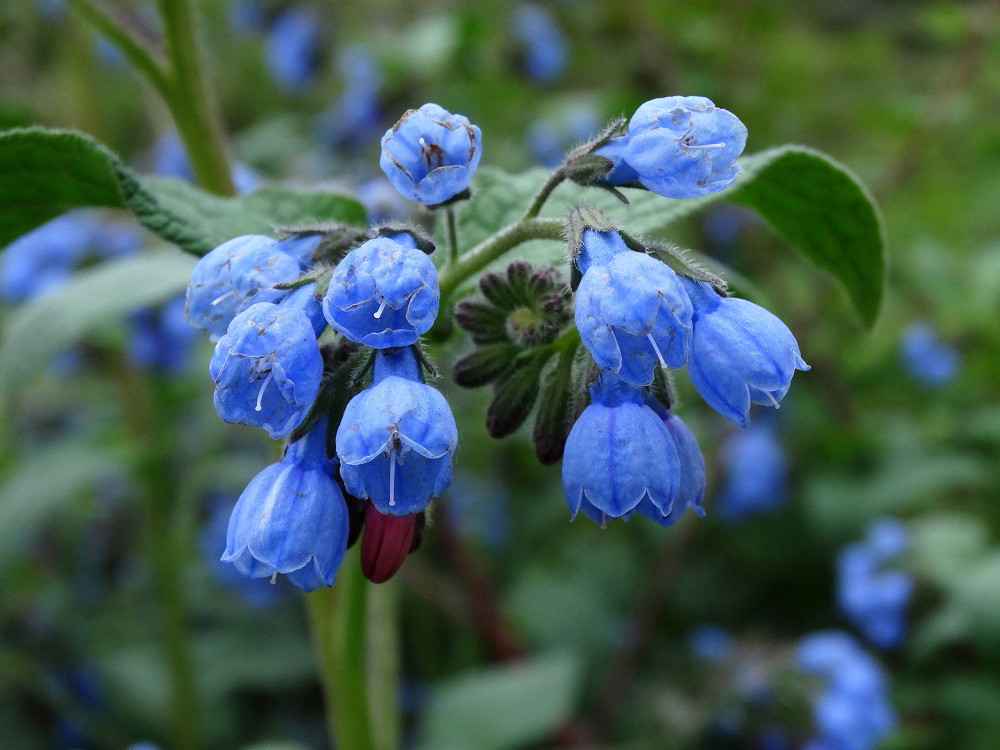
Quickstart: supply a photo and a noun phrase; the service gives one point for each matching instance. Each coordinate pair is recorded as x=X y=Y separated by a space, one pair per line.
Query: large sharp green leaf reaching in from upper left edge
x=44 y=173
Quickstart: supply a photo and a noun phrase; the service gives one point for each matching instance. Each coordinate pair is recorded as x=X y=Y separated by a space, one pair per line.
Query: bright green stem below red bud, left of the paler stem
x=337 y=618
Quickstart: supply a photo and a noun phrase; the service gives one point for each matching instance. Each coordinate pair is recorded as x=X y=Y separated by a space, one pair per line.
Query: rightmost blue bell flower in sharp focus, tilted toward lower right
x=740 y=353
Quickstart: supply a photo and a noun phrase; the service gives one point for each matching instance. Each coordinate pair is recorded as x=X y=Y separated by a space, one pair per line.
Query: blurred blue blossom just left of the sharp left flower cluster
x=161 y=337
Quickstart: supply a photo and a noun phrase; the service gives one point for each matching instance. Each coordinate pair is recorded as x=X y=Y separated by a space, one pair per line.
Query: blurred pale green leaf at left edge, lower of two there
x=44 y=485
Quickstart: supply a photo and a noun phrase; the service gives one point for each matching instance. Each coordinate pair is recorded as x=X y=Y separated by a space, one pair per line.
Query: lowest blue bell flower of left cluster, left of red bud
x=291 y=518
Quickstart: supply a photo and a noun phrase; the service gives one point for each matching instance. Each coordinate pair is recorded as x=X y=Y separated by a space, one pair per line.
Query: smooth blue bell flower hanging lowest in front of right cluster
x=619 y=453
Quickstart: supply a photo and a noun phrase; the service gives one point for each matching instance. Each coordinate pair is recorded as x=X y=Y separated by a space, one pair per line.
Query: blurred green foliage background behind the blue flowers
x=589 y=628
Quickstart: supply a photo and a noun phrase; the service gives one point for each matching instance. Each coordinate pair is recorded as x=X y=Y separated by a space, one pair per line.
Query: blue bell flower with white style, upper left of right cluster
x=633 y=314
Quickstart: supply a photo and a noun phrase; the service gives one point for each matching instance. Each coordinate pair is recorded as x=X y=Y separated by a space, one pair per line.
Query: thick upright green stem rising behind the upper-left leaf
x=188 y=99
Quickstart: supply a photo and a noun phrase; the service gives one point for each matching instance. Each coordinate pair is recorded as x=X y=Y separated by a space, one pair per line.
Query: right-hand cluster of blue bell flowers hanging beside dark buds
x=635 y=315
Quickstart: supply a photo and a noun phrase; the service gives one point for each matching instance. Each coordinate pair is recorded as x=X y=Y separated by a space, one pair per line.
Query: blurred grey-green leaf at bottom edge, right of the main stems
x=502 y=707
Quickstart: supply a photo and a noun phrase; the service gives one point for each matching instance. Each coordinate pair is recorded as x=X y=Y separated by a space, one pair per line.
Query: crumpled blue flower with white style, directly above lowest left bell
x=267 y=369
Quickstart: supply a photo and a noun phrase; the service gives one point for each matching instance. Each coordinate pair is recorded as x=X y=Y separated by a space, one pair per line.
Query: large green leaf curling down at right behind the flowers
x=813 y=201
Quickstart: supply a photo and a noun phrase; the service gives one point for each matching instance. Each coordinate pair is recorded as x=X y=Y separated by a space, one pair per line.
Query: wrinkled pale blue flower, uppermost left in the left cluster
x=232 y=276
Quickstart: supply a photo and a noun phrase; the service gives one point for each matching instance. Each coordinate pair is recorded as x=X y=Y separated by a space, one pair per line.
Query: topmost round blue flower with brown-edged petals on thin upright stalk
x=430 y=155
